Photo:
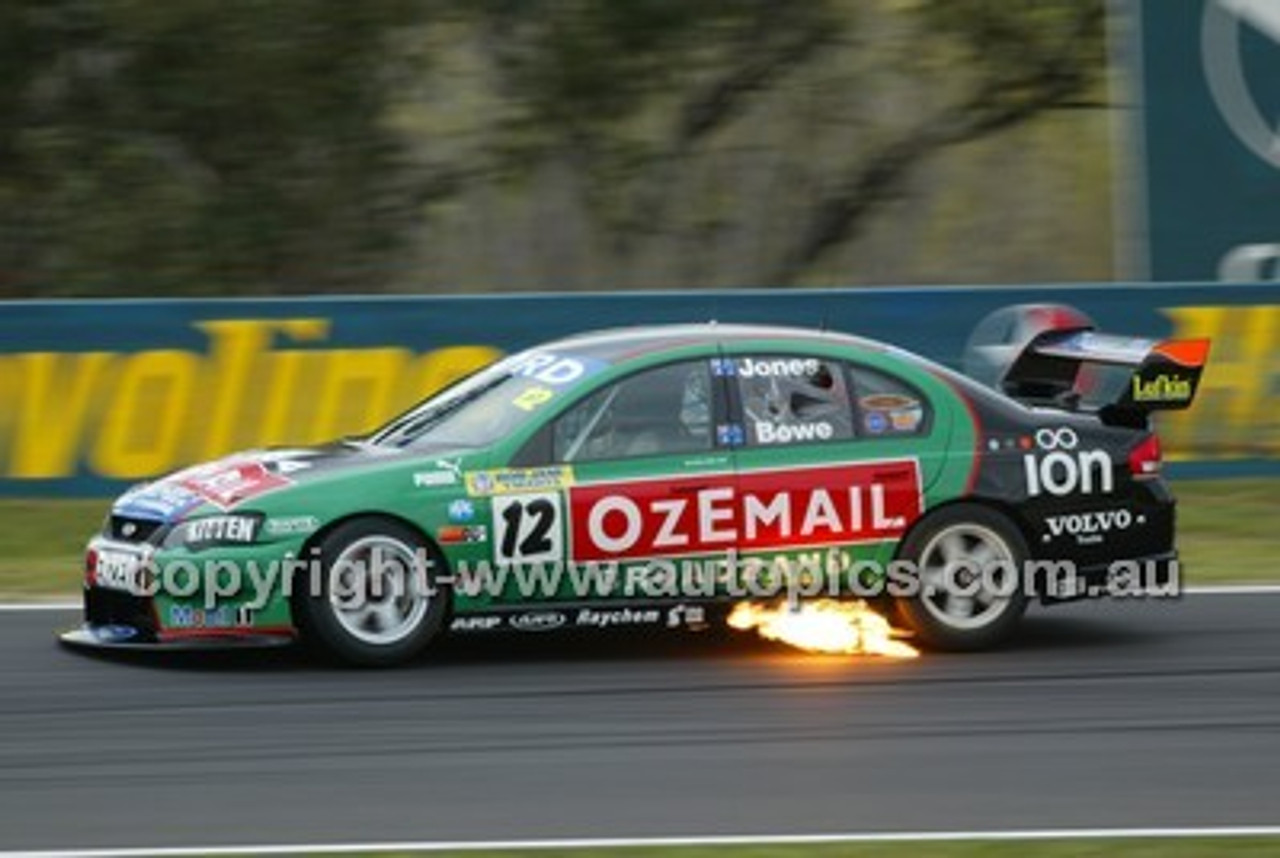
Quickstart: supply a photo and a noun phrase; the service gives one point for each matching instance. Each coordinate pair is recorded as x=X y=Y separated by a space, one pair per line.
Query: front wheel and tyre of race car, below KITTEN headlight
x=378 y=603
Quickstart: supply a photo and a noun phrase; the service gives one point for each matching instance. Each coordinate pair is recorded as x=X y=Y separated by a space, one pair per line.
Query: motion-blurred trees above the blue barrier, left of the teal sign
x=286 y=147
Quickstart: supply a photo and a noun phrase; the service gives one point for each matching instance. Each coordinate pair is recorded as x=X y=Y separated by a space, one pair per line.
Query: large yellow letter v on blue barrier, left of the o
x=54 y=396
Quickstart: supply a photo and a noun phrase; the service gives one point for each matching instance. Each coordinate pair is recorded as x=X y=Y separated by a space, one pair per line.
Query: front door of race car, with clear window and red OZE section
x=648 y=477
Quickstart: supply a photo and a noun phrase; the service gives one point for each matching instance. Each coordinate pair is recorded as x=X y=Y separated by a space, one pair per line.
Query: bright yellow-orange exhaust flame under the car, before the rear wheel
x=825 y=626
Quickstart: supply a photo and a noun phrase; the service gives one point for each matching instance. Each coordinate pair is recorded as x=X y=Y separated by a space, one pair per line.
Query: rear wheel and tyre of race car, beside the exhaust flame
x=970 y=562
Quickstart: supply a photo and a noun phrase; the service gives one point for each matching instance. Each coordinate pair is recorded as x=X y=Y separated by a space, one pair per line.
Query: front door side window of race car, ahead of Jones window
x=656 y=413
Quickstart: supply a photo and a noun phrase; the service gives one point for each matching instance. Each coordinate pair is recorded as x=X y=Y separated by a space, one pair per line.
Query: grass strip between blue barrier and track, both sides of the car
x=1227 y=535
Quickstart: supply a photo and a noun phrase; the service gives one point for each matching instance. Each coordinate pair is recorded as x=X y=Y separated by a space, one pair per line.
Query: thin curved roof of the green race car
x=628 y=344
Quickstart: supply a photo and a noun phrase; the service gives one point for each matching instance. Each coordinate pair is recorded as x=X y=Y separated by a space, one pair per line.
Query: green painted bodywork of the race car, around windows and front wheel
x=436 y=494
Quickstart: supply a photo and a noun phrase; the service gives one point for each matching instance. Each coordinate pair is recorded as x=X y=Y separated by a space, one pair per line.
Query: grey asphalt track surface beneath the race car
x=1158 y=714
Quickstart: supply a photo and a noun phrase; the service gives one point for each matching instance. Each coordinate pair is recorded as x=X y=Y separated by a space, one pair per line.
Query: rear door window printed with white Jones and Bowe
x=793 y=400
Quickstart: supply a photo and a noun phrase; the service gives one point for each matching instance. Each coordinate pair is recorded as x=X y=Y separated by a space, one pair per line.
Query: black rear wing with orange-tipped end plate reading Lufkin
x=1154 y=375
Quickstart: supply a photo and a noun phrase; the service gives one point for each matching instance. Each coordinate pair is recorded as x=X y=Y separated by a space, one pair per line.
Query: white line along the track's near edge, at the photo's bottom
x=684 y=842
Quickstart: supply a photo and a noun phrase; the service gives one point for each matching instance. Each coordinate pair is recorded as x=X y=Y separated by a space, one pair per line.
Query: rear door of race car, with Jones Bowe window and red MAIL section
x=829 y=467
